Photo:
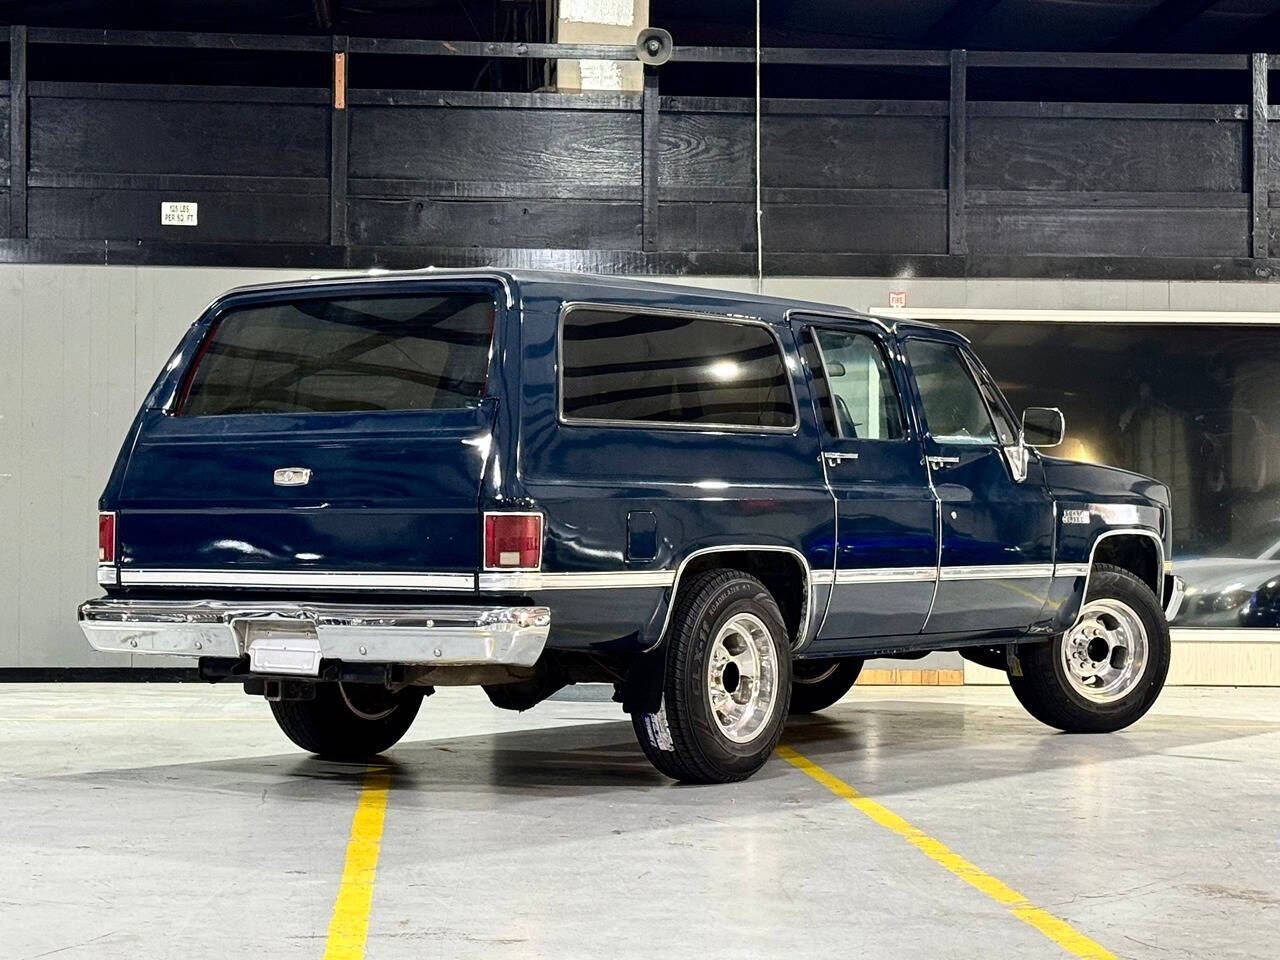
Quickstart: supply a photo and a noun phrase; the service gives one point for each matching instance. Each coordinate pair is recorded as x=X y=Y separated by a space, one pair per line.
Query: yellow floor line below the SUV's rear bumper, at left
x=349 y=927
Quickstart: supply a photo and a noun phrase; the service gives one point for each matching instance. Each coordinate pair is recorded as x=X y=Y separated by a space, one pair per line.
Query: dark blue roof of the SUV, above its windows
x=575 y=286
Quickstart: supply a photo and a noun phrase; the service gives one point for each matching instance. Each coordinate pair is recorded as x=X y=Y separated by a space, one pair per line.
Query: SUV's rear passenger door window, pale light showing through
x=856 y=392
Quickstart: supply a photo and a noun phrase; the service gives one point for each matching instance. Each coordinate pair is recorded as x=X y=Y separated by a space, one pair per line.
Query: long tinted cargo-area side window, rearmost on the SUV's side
x=651 y=368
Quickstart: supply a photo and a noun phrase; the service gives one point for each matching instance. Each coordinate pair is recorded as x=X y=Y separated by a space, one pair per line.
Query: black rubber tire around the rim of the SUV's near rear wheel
x=684 y=739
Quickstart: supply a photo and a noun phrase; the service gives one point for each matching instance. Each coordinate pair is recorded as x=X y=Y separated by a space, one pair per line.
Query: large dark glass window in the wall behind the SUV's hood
x=1195 y=406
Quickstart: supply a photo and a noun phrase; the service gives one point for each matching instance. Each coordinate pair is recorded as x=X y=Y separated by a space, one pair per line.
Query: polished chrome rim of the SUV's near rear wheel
x=743 y=678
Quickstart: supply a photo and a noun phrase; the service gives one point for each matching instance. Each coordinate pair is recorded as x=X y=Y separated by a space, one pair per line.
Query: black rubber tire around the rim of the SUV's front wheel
x=1041 y=682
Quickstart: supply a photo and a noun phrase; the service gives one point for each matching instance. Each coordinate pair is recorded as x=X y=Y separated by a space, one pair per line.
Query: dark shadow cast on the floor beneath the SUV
x=881 y=748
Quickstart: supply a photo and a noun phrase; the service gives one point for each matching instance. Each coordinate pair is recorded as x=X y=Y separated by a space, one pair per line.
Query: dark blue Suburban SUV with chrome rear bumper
x=345 y=493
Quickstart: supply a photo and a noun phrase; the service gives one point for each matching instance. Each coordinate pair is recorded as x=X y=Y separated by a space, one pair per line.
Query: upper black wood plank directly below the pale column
x=515 y=145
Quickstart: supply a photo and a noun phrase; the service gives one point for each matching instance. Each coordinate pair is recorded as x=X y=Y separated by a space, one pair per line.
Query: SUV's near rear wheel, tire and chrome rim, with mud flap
x=726 y=685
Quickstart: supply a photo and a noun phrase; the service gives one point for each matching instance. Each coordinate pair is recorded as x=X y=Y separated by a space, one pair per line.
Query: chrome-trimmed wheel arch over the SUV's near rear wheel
x=790 y=580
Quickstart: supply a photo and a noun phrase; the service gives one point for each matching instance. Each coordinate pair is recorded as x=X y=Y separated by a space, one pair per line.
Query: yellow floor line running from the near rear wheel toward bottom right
x=1053 y=927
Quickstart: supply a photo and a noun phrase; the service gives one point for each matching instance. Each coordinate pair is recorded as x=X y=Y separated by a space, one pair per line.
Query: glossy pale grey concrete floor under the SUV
x=177 y=822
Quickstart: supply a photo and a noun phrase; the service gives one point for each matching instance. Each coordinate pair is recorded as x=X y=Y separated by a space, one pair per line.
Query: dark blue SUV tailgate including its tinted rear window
x=330 y=441
